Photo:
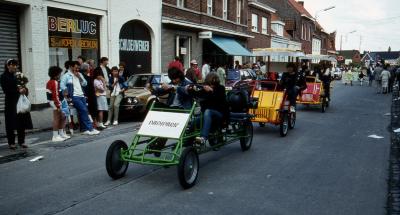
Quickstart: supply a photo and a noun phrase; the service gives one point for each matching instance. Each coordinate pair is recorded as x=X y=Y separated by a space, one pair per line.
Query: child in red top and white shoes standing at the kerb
x=53 y=97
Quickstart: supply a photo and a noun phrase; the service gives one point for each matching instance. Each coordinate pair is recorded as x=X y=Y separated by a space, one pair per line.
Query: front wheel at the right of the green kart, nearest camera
x=188 y=167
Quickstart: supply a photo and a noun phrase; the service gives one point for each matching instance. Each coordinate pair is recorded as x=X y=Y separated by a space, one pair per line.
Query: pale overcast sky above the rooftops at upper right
x=377 y=23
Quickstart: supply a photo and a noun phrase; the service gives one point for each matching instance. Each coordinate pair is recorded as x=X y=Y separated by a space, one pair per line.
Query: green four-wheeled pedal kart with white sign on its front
x=176 y=129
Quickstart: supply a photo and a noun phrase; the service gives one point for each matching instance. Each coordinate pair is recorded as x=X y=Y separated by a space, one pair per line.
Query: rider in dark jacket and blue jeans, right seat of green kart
x=214 y=105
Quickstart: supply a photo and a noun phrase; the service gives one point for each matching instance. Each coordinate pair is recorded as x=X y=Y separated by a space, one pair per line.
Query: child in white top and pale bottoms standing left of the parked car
x=100 y=89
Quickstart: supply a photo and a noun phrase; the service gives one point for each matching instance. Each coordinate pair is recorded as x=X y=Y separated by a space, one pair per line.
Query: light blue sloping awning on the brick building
x=230 y=46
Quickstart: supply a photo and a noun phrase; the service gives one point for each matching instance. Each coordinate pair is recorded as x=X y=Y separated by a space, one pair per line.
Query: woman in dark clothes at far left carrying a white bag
x=12 y=89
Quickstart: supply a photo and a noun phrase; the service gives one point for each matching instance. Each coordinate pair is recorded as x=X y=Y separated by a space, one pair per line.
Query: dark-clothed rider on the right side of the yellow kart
x=293 y=83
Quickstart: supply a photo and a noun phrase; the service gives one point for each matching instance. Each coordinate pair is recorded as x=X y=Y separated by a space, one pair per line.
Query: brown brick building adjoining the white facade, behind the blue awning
x=183 y=20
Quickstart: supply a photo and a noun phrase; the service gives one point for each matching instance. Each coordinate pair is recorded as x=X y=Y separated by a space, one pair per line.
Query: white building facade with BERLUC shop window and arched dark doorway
x=44 y=33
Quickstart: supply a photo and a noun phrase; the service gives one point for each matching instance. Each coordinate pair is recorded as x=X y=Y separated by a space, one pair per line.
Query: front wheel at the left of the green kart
x=116 y=167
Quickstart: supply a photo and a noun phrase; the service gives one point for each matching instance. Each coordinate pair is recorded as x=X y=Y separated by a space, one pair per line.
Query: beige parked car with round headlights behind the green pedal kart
x=138 y=99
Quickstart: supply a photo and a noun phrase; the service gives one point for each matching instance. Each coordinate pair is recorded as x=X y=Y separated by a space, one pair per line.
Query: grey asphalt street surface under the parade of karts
x=326 y=165
